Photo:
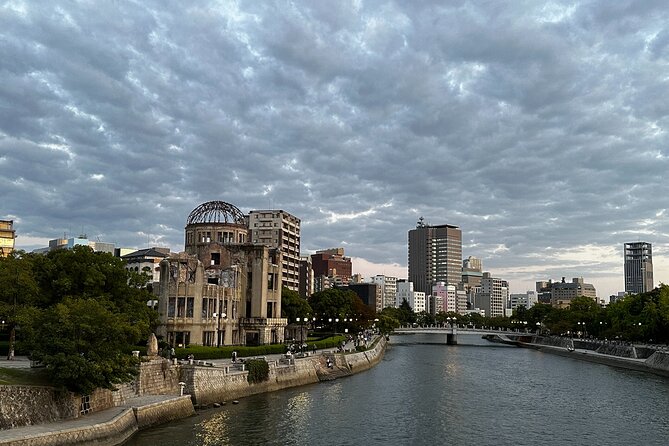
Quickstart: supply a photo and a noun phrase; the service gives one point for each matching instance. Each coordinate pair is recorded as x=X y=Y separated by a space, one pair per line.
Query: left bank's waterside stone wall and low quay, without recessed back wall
x=204 y=386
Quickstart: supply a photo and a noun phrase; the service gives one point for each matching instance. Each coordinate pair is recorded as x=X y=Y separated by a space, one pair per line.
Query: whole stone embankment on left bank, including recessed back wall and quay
x=110 y=418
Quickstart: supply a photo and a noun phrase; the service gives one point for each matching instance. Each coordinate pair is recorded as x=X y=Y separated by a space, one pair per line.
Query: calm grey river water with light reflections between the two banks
x=427 y=394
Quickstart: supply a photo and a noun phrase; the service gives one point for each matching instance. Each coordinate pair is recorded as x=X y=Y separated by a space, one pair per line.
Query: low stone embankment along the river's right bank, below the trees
x=642 y=358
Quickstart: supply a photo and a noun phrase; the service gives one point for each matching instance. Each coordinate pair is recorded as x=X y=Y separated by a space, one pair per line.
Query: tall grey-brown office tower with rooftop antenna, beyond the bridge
x=435 y=255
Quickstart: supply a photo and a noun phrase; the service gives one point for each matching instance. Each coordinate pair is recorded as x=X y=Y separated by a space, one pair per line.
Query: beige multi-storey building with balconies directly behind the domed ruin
x=280 y=230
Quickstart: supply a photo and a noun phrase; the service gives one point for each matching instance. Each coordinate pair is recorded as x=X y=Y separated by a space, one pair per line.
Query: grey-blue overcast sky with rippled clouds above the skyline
x=539 y=128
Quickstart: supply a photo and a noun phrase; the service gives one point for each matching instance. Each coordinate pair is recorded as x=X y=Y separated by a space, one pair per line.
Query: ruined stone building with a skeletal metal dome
x=222 y=290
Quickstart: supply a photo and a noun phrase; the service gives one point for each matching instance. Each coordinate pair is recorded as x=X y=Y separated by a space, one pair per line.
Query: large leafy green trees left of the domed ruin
x=78 y=312
